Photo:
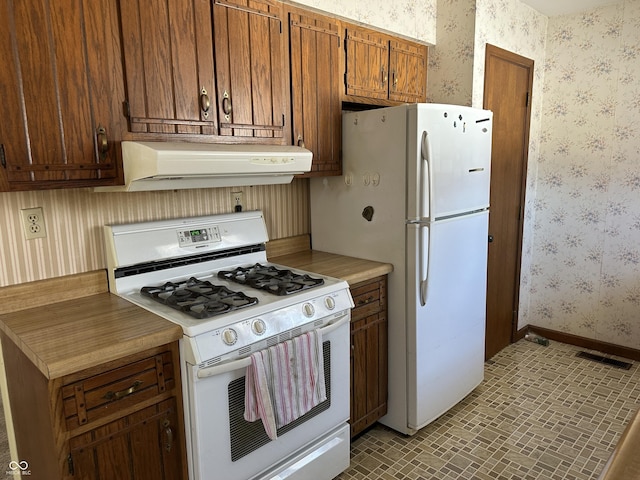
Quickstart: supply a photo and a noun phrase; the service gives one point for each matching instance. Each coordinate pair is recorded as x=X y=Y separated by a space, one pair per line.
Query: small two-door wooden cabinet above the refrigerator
x=382 y=68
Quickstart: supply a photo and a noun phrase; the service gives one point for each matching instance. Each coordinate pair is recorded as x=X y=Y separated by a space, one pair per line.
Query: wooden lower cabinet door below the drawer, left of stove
x=141 y=446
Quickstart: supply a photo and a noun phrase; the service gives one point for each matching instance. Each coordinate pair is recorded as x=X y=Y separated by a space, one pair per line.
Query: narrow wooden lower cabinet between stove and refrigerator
x=368 y=353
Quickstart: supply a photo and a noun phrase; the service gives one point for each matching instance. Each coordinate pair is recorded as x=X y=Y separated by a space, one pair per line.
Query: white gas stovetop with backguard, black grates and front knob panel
x=219 y=287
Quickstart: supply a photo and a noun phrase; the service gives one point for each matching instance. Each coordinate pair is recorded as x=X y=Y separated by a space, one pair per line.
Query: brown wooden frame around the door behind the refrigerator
x=493 y=52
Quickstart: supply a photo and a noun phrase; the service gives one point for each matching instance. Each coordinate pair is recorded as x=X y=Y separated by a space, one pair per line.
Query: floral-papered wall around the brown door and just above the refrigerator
x=456 y=75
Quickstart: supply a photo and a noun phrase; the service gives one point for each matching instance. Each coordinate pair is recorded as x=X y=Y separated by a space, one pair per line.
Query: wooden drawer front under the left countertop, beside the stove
x=99 y=395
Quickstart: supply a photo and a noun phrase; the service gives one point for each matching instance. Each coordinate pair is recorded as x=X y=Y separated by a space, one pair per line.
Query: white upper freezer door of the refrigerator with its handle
x=451 y=150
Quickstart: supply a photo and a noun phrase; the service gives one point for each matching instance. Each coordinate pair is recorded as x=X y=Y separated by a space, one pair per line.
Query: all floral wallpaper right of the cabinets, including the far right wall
x=581 y=247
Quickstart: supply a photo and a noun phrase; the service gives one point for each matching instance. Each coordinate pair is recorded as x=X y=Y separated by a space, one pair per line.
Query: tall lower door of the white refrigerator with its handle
x=446 y=335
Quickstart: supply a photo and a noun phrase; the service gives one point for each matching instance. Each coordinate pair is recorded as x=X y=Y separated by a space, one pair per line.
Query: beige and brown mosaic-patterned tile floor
x=541 y=413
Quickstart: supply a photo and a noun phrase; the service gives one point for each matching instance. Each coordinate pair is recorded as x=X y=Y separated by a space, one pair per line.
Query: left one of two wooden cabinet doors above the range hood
x=168 y=53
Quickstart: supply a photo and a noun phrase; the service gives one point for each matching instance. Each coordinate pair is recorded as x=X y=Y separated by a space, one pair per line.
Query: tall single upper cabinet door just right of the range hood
x=315 y=89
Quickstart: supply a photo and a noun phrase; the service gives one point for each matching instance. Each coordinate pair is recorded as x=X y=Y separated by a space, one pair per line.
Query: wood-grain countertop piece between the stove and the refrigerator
x=353 y=270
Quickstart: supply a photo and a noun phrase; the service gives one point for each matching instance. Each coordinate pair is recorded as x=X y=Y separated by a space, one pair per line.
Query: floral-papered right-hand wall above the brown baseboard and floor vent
x=585 y=273
